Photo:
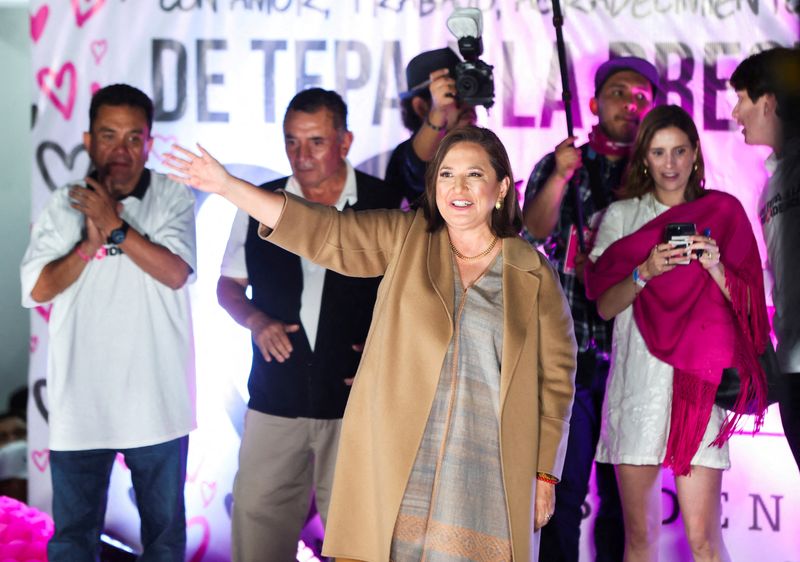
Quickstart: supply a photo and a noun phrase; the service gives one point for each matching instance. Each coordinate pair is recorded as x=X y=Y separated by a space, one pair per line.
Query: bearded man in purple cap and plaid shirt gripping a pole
x=624 y=91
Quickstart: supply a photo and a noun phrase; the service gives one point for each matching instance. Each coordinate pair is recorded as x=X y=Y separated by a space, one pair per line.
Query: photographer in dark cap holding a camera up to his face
x=429 y=109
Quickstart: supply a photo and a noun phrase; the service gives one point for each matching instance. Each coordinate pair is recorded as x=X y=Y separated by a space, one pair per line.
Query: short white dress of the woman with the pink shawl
x=638 y=401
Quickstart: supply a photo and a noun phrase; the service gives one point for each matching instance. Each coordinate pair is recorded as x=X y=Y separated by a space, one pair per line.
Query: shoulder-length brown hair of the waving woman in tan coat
x=505 y=222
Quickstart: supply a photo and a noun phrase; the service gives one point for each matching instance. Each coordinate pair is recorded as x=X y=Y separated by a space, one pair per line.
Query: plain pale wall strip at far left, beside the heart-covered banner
x=15 y=194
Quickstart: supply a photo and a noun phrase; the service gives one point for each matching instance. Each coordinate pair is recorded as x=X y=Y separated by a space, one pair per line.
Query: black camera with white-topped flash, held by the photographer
x=474 y=78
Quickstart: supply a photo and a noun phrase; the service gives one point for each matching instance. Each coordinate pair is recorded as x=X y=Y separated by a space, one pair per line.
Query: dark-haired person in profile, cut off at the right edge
x=767 y=86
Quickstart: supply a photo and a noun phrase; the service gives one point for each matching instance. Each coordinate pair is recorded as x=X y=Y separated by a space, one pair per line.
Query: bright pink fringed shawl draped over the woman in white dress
x=687 y=322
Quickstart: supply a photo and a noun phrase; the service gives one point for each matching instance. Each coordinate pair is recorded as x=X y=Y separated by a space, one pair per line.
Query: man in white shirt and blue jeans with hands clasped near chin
x=113 y=255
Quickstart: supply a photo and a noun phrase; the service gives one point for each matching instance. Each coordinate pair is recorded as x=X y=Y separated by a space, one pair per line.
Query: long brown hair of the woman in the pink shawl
x=638 y=181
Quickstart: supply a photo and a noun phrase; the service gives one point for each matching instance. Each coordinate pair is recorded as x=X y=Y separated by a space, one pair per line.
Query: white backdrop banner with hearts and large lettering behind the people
x=221 y=72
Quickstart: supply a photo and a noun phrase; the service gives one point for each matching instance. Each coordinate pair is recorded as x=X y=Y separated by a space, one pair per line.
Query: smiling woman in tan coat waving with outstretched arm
x=456 y=427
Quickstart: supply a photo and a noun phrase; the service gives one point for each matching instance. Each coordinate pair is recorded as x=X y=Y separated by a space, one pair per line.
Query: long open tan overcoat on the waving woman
x=411 y=329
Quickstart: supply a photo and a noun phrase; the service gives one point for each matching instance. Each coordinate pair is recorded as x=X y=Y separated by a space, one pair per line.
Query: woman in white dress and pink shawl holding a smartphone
x=682 y=314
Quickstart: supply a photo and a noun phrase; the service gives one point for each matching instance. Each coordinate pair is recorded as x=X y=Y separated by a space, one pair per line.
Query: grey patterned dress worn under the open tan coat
x=454 y=506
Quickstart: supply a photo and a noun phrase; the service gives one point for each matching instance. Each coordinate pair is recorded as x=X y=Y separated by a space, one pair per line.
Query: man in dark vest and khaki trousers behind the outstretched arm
x=308 y=326
